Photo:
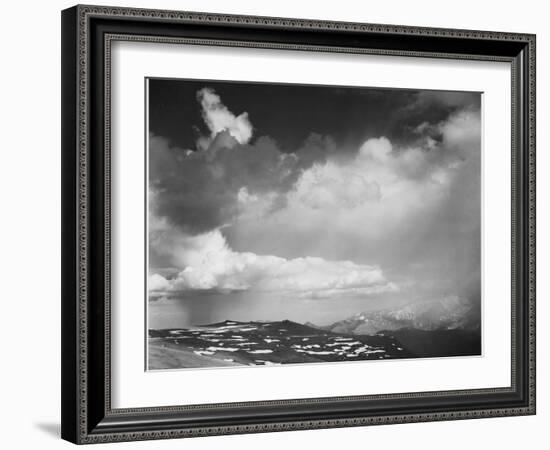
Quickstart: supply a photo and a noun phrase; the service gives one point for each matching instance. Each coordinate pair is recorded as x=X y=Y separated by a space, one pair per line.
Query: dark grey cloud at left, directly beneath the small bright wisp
x=199 y=190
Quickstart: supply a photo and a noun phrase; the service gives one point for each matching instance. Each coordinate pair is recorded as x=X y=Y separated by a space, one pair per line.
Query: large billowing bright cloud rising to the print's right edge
x=384 y=184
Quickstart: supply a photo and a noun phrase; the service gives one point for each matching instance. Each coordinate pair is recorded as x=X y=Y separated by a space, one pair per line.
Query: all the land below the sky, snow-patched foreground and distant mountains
x=449 y=327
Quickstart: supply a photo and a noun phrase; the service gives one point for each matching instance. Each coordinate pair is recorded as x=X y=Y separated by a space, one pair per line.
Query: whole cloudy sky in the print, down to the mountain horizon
x=309 y=203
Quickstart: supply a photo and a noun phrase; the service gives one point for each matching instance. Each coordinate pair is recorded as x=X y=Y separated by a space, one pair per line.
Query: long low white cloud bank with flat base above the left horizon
x=210 y=264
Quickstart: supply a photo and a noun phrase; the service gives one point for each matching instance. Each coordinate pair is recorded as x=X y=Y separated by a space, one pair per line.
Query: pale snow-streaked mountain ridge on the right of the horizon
x=450 y=313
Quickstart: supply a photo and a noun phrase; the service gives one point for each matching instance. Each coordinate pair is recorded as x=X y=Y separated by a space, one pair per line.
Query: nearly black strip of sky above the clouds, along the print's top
x=290 y=113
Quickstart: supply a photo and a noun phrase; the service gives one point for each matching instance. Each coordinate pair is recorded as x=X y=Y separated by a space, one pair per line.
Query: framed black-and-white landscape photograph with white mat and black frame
x=280 y=224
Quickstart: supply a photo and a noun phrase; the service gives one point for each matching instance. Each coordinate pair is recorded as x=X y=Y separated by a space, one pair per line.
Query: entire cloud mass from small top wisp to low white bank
x=241 y=215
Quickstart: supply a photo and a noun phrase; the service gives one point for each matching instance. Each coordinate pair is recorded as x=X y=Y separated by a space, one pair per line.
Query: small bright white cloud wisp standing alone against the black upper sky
x=218 y=118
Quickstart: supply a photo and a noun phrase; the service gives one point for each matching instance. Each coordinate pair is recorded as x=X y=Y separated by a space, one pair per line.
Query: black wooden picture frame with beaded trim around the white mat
x=87 y=32
